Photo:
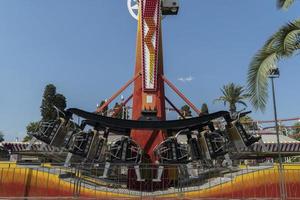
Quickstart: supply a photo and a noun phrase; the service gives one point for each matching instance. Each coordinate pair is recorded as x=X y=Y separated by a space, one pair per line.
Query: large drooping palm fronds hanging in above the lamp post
x=283 y=44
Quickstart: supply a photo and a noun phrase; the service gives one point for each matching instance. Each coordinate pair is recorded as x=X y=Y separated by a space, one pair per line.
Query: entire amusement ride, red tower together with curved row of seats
x=148 y=138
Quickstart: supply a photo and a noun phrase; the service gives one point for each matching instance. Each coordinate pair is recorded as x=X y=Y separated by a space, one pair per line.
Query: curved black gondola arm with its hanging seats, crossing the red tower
x=206 y=144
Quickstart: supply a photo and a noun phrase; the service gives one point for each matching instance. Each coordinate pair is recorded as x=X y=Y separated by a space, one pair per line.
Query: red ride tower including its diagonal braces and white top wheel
x=149 y=80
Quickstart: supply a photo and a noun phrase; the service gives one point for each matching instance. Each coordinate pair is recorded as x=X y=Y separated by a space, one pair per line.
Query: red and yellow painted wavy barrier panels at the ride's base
x=27 y=182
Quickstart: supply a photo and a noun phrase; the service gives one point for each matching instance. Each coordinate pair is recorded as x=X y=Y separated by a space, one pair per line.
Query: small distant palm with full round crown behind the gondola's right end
x=232 y=94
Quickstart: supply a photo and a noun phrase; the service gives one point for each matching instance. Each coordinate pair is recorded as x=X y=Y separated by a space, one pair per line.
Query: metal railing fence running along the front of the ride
x=181 y=181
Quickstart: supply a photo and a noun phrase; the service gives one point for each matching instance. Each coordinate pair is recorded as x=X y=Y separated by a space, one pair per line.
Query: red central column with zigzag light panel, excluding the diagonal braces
x=149 y=93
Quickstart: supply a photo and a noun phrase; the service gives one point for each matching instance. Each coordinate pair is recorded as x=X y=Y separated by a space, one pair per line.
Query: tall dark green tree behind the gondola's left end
x=50 y=99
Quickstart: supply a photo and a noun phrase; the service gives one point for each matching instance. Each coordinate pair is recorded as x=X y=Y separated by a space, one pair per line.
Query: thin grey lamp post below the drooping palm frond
x=274 y=73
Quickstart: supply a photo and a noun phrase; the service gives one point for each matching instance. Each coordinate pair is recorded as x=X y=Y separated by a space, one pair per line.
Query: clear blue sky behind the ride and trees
x=87 y=49
